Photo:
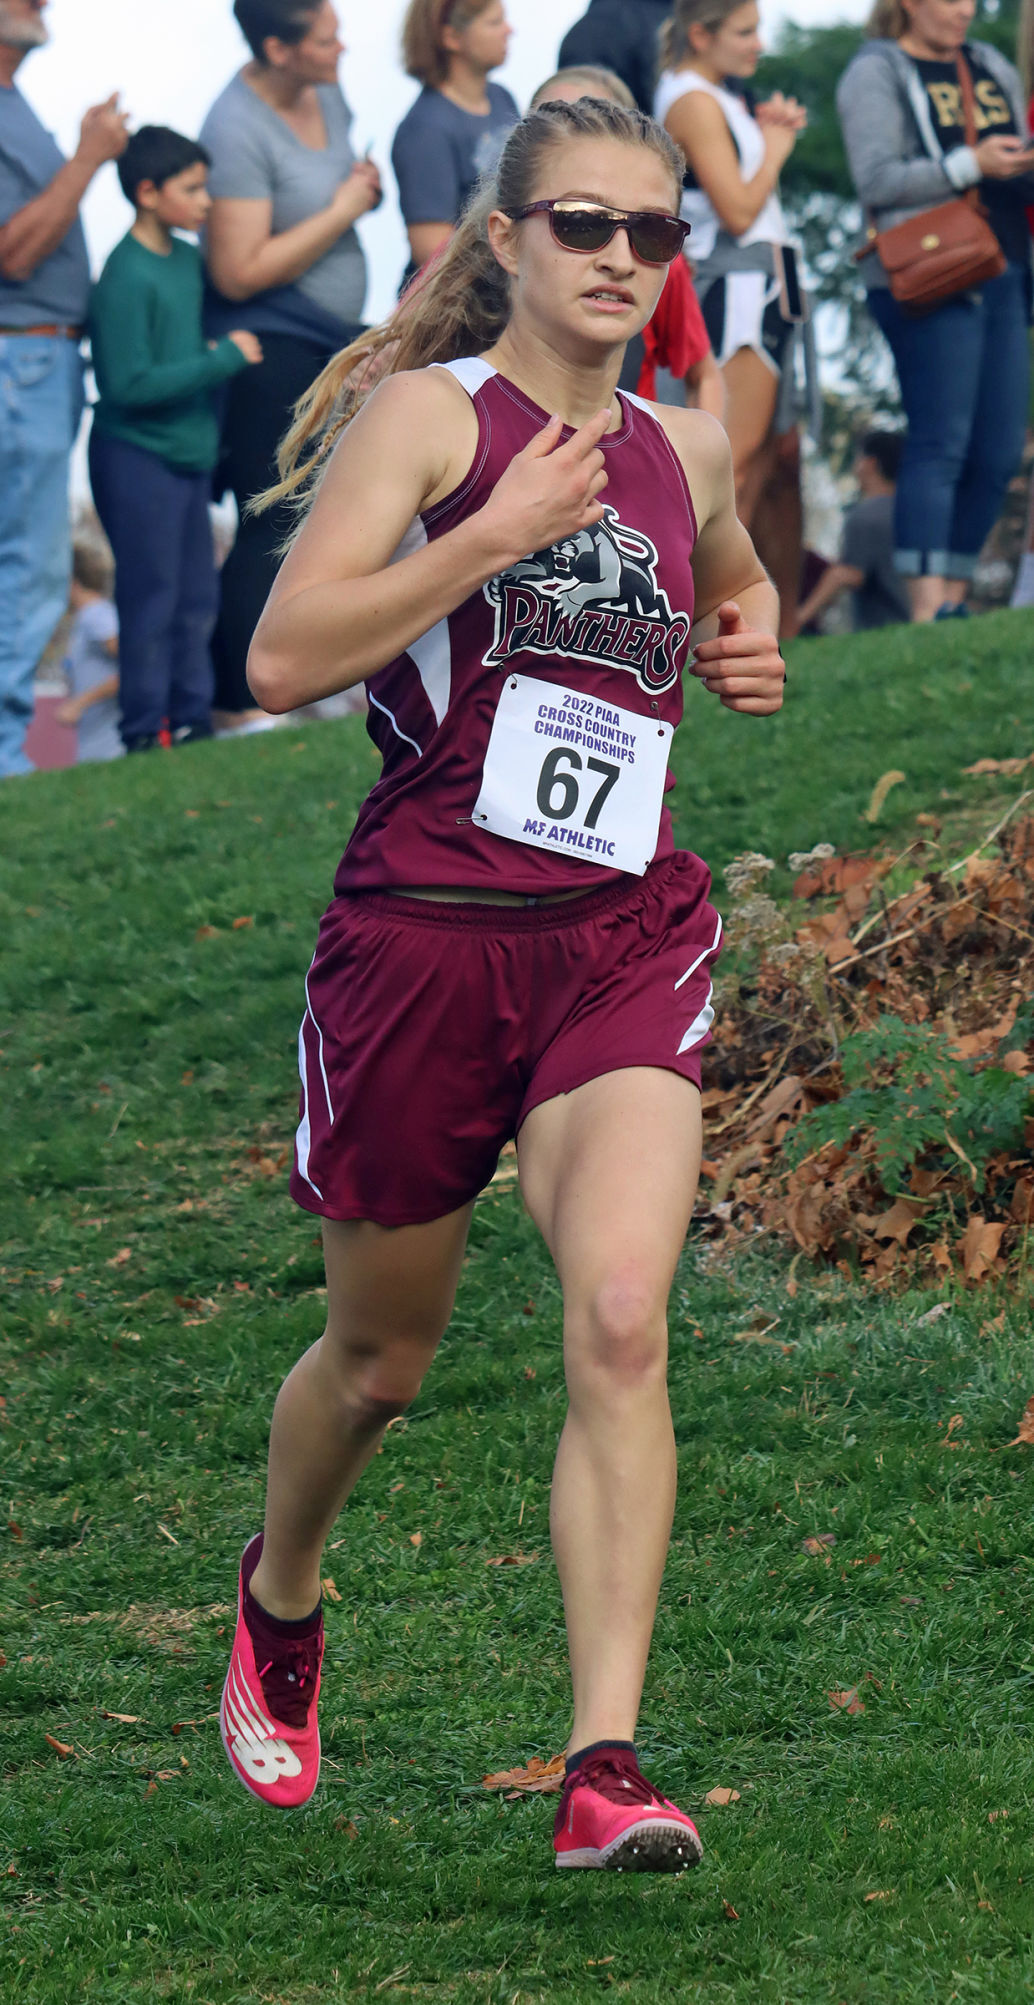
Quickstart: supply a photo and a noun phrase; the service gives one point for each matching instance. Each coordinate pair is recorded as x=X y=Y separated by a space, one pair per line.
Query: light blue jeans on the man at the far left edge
x=41 y=406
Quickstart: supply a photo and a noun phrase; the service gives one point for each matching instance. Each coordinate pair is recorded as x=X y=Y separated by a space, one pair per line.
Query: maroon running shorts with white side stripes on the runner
x=432 y=1030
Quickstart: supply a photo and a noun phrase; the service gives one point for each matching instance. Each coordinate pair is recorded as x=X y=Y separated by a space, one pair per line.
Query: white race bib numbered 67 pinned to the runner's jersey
x=574 y=775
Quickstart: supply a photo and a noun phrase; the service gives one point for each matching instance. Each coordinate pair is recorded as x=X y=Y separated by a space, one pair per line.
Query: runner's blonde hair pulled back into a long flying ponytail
x=460 y=306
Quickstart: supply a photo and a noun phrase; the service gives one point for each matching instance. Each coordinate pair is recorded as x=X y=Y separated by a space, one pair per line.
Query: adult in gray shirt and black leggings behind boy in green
x=284 y=260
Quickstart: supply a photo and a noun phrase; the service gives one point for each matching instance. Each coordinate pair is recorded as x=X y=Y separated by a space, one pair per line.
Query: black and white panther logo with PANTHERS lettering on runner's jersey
x=594 y=598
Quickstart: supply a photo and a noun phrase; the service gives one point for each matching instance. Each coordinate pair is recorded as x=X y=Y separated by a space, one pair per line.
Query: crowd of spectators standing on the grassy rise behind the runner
x=243 y=274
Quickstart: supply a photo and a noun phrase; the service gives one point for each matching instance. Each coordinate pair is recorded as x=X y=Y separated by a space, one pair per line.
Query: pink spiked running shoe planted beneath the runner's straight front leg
x=610 y=1818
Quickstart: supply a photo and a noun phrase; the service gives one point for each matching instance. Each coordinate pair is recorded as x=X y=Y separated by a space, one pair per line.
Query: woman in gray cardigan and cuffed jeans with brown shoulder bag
x=965 y=366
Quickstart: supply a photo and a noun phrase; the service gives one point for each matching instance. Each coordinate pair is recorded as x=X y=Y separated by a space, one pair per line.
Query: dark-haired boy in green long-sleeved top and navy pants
x=155 y=440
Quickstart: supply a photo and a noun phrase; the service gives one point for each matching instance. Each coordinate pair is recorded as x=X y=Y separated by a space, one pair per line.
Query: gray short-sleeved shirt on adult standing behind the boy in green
x=257 y=157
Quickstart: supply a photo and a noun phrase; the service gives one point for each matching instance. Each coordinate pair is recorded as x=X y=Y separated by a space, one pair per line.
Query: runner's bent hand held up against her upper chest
x=550 y=490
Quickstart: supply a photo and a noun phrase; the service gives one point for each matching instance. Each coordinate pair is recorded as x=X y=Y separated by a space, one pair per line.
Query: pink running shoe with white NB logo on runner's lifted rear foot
x=270 y=1703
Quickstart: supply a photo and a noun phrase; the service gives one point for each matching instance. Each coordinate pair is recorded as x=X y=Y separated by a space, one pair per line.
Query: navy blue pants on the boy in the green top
x=165 y=586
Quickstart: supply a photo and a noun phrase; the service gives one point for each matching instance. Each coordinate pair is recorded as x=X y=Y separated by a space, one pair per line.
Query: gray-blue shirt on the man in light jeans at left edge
x=59 y=290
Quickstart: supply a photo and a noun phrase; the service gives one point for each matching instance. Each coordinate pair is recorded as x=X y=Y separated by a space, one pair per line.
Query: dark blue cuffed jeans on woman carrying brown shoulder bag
x=965 y=392
